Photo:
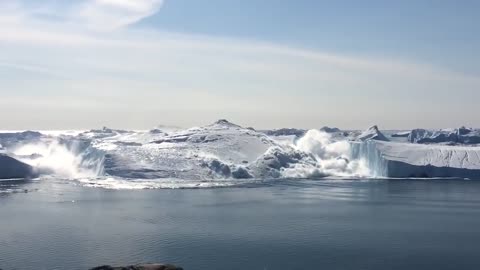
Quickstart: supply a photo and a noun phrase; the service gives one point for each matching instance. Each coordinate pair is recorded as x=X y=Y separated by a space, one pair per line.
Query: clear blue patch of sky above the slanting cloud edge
x=440 y=32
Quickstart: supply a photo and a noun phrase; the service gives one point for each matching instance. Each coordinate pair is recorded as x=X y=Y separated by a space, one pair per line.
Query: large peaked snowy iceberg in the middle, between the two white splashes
x=220 y=150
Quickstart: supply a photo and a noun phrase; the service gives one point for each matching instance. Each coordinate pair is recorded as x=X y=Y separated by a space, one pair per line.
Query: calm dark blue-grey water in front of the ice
x=280 y=224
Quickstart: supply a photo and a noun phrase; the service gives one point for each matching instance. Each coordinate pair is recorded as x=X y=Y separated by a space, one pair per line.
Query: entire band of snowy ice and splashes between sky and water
x=223 y=153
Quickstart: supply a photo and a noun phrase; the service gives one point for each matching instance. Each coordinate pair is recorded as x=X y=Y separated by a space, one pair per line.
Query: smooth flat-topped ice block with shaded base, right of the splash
x=406 y=160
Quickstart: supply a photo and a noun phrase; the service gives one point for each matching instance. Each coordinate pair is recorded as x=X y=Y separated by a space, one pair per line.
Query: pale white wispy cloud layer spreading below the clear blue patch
x=177 y=78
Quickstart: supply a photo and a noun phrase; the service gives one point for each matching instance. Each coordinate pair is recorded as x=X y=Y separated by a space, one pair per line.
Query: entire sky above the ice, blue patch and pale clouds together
x=136 y=64
